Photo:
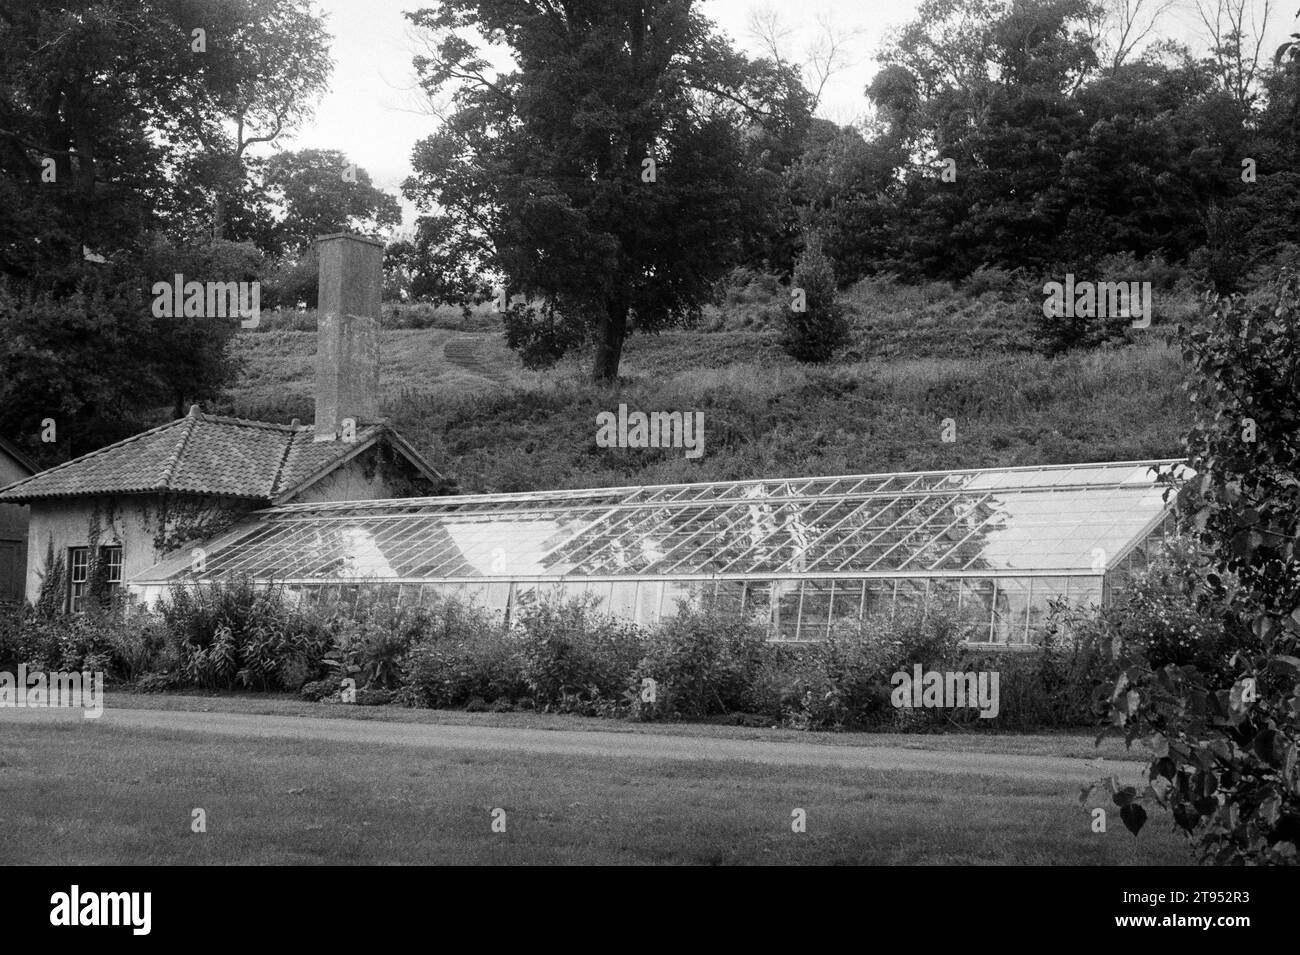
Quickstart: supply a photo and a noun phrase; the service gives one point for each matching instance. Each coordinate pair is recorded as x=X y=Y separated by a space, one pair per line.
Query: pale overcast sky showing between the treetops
x=374 y=110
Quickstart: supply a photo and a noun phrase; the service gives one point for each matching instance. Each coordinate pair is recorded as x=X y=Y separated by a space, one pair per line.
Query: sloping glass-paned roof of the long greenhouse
x=1051 y=520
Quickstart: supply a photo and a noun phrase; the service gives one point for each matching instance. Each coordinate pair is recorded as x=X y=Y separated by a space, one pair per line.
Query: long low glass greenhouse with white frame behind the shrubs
x=798 y=555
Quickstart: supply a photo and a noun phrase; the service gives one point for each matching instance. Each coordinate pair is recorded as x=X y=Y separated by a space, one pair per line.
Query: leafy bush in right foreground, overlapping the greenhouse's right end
x=1227 y=741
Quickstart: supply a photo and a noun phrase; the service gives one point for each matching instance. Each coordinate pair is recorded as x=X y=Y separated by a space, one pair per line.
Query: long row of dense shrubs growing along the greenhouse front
x=560 y=657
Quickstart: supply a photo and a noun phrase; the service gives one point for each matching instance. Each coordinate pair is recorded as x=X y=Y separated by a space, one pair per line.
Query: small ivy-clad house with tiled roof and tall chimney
x=96 y=522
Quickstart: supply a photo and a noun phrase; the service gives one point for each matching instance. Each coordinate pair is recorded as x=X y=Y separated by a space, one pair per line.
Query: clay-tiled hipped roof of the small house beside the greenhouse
x=206 y=454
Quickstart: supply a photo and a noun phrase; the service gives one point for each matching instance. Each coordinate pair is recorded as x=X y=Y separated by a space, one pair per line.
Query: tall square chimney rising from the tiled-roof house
x=348 y=331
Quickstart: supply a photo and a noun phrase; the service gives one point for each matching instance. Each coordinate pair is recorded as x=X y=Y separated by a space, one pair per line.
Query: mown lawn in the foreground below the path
x=90 y=793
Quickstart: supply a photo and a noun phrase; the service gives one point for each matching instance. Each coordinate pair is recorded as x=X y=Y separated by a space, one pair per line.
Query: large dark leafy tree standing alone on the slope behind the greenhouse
x=610 y=175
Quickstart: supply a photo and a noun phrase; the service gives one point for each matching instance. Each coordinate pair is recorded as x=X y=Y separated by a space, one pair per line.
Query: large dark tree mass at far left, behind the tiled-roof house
x=112 y=133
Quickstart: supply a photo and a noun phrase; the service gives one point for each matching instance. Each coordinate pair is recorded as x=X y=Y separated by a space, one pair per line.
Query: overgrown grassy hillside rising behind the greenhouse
x=918 y=357
